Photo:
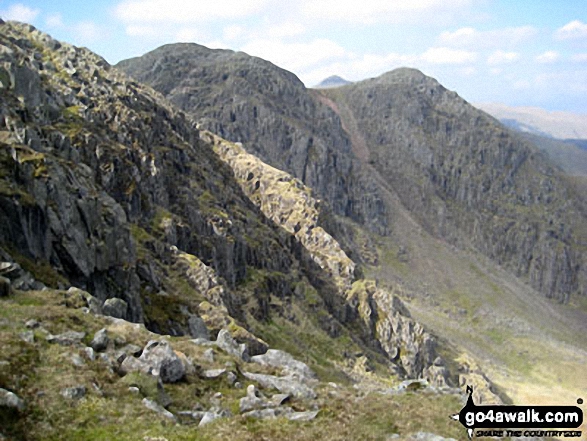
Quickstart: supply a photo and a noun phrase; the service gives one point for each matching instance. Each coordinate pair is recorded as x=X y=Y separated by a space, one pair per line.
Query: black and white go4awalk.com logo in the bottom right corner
x=519 y=421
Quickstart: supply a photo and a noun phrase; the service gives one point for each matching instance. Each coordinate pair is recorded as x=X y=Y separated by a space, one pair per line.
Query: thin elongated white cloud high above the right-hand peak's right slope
x=470 y=37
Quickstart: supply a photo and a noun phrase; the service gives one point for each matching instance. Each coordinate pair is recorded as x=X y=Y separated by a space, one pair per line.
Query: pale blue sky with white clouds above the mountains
x=520 y=53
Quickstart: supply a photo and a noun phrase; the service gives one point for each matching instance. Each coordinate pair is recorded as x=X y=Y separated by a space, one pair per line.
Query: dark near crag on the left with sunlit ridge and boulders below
x=114 y=204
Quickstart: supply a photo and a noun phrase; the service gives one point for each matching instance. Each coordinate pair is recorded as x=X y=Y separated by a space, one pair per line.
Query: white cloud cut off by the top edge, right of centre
x=375 y=11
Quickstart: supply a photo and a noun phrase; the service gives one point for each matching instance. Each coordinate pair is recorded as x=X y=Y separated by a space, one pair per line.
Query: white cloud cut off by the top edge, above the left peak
x=184 y=11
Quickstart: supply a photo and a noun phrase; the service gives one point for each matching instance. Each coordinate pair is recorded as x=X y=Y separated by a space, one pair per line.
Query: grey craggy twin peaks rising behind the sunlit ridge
x=462 y=175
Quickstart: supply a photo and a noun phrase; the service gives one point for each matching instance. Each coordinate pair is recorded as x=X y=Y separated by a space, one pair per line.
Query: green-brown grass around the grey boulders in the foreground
x=38 y=371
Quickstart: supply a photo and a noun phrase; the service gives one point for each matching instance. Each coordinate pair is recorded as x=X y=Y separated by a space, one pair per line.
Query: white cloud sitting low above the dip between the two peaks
x=295 y=56
